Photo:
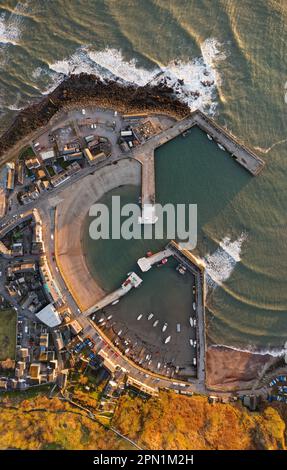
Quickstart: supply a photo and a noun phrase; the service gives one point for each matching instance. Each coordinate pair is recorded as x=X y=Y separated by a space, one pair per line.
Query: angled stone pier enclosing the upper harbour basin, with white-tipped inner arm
x=145 y=155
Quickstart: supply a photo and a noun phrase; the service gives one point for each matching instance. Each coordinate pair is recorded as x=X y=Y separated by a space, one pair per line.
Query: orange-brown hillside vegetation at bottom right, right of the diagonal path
x=177 y=422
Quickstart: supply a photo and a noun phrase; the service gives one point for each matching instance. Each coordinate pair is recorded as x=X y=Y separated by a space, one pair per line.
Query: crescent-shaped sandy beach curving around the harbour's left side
x=70 y=217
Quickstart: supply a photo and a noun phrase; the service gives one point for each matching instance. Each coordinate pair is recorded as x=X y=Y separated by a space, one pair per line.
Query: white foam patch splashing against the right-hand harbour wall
x=221 y=263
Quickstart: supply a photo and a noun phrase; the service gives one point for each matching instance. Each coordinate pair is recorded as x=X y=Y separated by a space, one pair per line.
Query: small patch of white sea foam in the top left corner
x=10 y=25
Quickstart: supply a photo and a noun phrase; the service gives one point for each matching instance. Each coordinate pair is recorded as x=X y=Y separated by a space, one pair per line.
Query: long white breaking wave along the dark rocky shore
x=194 y=82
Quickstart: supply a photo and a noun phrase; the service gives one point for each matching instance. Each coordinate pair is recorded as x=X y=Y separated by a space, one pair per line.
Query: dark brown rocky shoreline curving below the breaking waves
x=89 y=89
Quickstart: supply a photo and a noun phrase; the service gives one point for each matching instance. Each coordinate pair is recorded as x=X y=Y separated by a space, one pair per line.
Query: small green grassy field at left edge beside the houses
x=7 y=334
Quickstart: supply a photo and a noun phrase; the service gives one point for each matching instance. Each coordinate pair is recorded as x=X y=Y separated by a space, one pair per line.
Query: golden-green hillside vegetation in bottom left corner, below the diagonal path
x=40 y=423
